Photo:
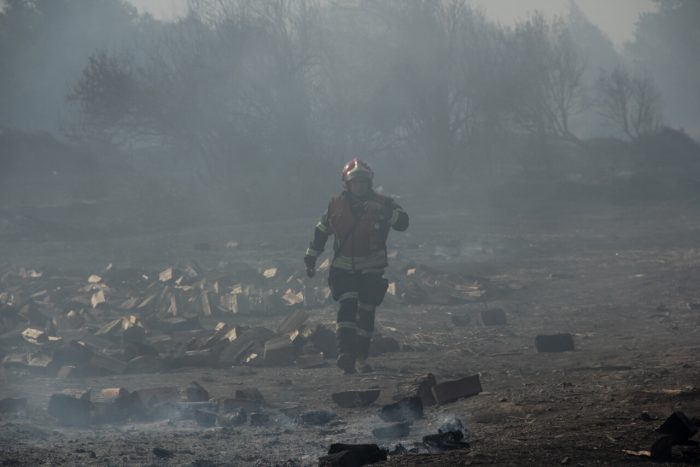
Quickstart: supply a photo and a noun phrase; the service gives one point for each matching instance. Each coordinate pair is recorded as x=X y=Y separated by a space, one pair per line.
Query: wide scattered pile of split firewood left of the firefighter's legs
x=133 y=321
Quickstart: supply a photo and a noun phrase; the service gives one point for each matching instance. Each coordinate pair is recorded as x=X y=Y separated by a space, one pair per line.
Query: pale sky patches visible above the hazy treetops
x=616 y=18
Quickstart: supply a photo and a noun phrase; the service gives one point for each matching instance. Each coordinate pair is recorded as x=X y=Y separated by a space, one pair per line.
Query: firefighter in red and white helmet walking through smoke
x=360 y=220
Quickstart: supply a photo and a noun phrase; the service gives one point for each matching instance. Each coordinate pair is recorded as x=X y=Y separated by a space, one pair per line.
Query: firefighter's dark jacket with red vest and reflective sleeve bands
x=359 y=235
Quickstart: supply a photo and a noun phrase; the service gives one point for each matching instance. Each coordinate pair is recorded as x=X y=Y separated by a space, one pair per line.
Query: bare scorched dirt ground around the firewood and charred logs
x=620 y=279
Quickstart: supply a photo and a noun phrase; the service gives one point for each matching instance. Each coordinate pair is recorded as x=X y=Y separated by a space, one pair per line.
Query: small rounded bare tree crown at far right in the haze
x=630 y=101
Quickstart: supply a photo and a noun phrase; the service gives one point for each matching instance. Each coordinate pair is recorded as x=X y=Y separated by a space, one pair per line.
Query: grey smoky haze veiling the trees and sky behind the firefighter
x=209 y=101
